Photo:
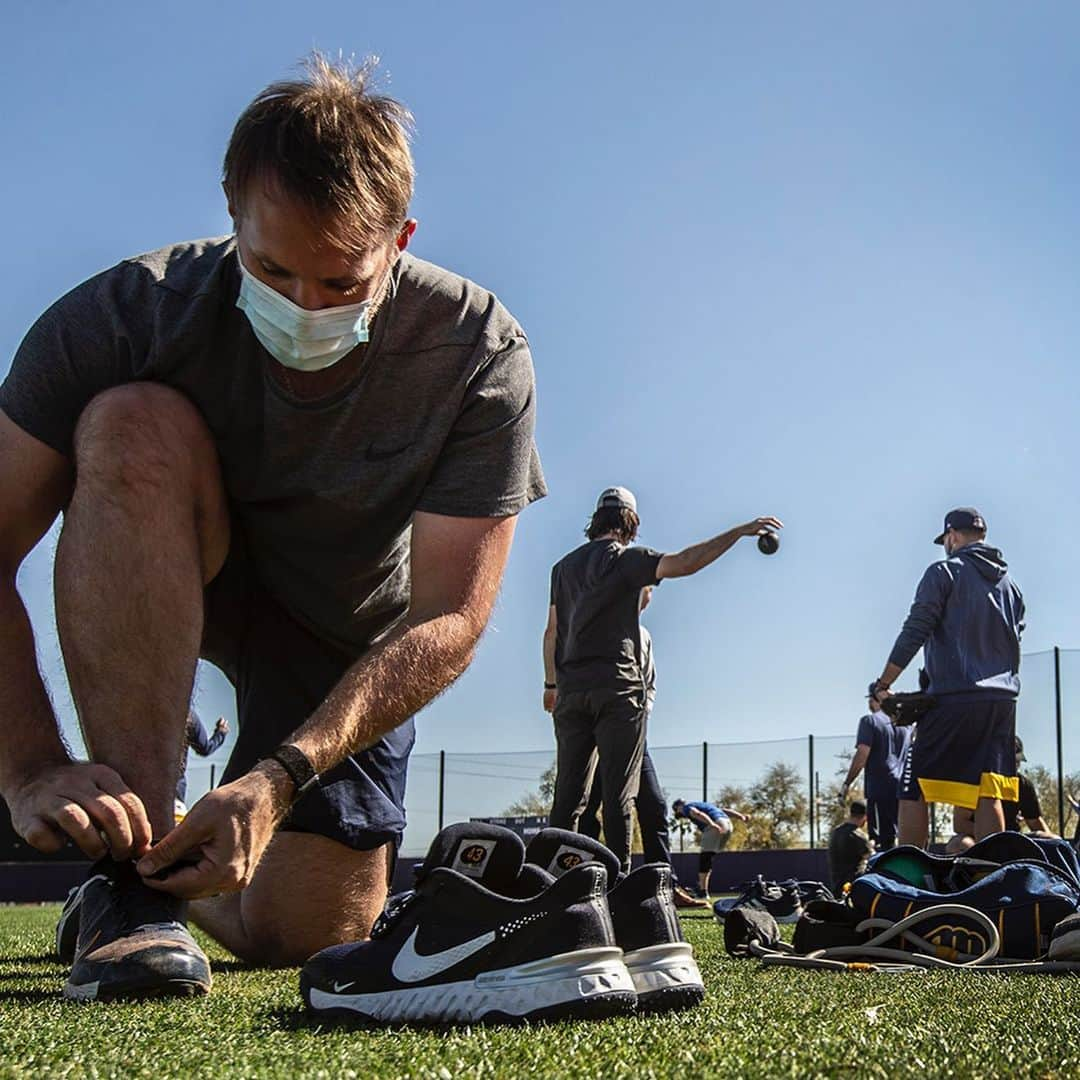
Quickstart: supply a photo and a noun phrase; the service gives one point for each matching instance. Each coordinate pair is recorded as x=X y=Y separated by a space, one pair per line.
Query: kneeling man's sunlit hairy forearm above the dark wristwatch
x=387 y=686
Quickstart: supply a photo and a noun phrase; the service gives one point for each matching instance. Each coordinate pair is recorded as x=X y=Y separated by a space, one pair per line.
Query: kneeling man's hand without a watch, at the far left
x=86 y=802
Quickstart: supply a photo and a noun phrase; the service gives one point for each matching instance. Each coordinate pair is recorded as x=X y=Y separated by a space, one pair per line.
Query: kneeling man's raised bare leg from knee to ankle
x=146 y=529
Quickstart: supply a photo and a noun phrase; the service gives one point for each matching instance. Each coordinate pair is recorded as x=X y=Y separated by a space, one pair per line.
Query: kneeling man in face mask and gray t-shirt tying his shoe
x=300 y=453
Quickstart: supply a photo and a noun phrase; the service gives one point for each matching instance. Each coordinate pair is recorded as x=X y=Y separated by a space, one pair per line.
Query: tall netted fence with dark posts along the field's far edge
x=789 y=786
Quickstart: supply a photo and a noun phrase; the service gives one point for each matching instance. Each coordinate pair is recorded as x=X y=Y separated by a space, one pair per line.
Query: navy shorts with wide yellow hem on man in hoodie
x=967 y=751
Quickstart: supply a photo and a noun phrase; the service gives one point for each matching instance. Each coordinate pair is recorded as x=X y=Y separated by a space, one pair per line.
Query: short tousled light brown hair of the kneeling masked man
x=331 y=144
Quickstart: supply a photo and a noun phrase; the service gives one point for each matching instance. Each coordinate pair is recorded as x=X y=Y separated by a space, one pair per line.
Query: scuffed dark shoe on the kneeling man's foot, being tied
x=132 y=941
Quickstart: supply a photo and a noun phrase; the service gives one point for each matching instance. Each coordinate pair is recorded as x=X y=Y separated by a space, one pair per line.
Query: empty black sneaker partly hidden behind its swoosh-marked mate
x=646 y=925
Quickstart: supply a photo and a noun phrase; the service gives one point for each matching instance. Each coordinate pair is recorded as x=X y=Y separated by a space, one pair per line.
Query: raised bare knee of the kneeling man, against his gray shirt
x=141 y=434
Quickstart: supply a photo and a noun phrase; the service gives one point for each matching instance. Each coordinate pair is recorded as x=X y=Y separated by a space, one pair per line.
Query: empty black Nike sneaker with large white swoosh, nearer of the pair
x=482 y=938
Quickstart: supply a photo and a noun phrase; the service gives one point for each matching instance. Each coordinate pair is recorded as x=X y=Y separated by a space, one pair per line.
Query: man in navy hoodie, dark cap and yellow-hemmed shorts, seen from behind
x=967 y=617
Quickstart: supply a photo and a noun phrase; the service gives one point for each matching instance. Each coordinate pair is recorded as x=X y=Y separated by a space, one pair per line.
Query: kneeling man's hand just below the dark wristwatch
x=224 y=835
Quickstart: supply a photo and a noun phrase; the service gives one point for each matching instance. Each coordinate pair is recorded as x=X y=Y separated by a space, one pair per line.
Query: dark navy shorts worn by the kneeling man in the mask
x=282 y=672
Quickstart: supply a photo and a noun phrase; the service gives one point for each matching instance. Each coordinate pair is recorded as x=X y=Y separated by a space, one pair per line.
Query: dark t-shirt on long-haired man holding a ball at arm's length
x=597 y=591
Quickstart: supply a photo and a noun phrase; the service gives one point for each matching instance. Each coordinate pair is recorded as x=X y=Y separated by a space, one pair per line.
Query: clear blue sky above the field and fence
x=814 y=261
